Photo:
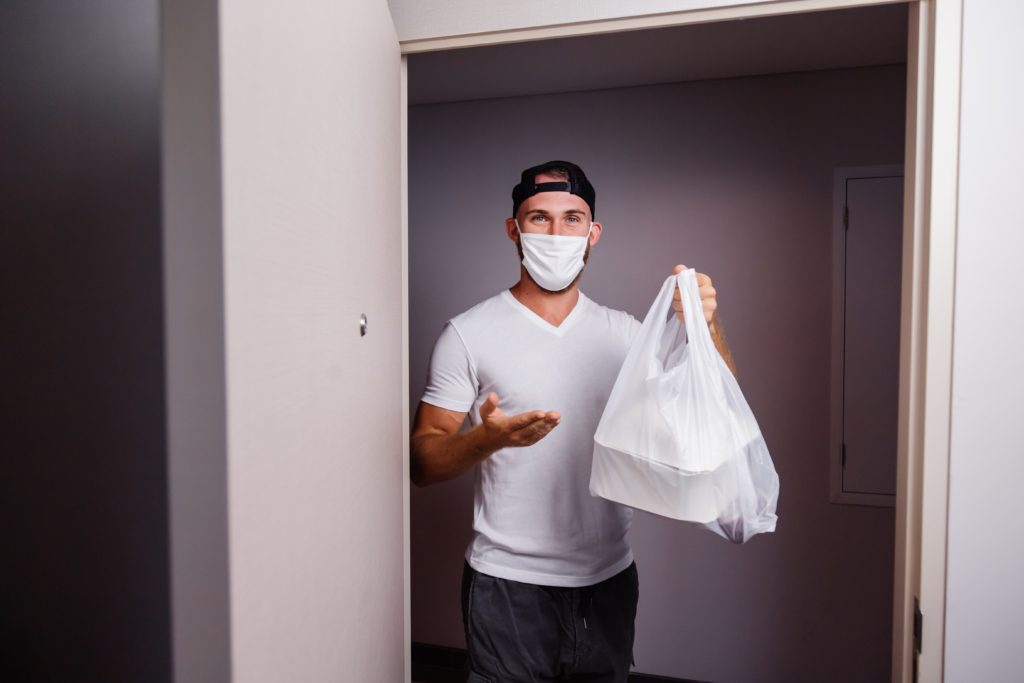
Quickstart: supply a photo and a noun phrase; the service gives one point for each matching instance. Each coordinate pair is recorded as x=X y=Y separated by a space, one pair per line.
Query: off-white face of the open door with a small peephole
x=311 y=120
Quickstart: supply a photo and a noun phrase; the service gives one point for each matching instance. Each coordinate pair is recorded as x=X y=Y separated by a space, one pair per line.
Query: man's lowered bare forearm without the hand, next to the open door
x=439 y=457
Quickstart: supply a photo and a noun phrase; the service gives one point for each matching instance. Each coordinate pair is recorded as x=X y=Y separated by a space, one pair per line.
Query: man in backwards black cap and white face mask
x=550 y=587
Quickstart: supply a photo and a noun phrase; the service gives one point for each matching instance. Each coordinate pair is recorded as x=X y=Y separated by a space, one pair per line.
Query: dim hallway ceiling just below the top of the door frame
x=835 y=39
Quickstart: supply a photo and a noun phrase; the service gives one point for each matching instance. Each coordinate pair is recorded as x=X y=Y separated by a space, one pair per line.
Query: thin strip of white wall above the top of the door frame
x=417 y=20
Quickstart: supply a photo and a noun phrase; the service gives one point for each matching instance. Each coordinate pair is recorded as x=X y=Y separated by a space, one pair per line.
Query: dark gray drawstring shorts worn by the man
x=523 y=633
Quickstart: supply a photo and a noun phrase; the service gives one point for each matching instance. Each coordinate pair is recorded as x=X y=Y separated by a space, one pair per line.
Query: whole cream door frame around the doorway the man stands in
x=927 y=319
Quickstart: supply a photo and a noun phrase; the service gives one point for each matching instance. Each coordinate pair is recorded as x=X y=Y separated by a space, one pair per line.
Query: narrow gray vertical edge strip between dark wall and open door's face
x=195 y=340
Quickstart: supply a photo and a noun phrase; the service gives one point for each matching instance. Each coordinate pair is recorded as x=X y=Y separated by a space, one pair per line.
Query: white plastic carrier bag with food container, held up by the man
x=677 y=439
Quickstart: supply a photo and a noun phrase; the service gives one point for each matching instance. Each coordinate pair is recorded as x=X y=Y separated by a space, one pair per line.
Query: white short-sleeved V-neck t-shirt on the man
x=534 y=520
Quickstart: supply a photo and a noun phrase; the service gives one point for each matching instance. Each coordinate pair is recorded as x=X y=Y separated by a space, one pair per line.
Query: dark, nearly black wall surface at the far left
x=83 y=507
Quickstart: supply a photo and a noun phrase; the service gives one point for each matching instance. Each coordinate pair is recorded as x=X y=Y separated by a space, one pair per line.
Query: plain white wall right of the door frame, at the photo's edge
x=986 y=601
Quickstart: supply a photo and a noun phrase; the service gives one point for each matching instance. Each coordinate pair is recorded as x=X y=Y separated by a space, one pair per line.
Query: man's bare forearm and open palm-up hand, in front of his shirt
x=439 y=452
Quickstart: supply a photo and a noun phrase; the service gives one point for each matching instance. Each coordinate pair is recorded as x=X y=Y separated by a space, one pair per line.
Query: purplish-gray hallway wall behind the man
x=734 y=178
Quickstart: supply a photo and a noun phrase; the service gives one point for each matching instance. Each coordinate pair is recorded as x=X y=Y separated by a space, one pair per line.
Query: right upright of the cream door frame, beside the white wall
x=926 y=349
